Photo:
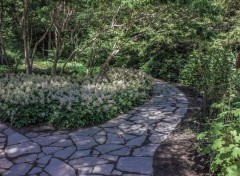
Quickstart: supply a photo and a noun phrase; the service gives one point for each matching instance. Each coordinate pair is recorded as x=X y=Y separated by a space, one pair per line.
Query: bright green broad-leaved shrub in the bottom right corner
x=223 y=139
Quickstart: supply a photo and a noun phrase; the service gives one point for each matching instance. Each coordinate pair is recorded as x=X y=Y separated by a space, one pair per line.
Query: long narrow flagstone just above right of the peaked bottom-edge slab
x=87 y=161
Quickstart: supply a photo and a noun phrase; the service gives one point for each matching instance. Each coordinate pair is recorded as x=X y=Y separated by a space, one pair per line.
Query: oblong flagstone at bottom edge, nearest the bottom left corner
x=18 y=169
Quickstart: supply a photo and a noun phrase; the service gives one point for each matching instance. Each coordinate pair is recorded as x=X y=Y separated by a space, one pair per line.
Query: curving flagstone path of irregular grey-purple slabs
x=122 y=146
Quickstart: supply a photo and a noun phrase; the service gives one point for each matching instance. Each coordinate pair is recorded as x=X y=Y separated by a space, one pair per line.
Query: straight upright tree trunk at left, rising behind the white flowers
x=28 y=67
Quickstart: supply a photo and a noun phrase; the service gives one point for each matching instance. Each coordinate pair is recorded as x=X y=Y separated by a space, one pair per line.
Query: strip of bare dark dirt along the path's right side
x=177 y=156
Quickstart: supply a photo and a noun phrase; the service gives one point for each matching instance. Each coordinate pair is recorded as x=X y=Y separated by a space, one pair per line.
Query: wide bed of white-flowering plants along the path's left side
x=70 y=101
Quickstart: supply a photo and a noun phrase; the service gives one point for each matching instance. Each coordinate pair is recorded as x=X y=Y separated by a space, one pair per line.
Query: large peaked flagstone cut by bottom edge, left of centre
x=59 y=168
